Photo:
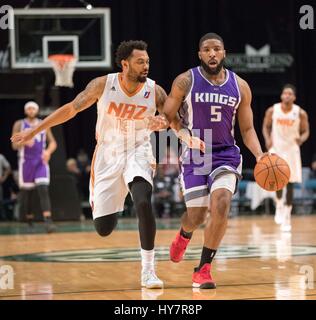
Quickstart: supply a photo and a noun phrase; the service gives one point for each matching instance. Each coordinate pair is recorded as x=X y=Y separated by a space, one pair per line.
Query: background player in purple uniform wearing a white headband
x=33 y=165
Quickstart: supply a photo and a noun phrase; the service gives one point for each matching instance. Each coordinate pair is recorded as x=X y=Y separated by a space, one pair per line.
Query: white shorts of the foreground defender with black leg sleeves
x=111 y=173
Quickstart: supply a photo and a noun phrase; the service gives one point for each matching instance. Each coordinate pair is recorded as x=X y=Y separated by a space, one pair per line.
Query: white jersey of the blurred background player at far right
x=285 y=127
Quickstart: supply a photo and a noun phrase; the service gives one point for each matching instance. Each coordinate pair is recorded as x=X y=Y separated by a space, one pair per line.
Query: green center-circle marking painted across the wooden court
x=265 y=251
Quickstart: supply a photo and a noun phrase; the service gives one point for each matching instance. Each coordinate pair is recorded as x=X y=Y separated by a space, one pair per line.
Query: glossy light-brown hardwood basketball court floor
x=256 y=261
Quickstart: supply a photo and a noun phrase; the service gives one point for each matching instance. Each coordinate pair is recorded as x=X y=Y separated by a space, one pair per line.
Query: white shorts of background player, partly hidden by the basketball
x=293 y=158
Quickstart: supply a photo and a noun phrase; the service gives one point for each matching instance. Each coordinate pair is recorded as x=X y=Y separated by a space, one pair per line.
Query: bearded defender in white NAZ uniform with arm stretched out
x=123 y=160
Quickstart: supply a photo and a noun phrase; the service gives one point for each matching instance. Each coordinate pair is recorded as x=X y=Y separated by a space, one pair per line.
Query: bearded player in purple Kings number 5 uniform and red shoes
x=208 y=99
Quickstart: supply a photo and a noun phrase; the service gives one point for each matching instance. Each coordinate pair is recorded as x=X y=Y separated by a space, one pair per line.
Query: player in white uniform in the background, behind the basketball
x=285 y=129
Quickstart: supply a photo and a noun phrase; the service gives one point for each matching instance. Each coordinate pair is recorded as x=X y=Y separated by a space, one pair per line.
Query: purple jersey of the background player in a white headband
x=34 y=152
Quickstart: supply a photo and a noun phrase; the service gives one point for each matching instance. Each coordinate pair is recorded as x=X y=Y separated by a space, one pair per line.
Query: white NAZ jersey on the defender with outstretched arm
x=116 y=106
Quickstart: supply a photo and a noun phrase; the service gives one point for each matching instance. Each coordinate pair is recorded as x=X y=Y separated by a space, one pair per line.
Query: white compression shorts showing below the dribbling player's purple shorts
x=225 y=181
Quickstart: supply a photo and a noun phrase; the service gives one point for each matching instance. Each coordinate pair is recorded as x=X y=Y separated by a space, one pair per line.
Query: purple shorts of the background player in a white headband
x=33 y=172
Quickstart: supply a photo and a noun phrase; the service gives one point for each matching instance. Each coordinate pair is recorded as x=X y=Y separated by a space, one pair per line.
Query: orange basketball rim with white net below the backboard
x=64 y=67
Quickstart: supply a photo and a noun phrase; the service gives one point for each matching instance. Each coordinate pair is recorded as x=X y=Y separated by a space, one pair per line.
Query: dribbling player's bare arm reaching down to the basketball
x=245 y=120
